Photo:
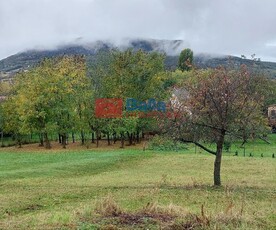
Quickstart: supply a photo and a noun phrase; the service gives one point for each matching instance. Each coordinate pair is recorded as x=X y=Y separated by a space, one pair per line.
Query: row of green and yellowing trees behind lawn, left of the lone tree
x=58 y=96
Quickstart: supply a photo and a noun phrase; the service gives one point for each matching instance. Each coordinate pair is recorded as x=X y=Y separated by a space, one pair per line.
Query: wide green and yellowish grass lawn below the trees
x=132 y=189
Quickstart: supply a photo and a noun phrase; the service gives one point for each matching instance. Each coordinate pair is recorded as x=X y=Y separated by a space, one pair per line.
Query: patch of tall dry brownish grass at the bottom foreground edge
x=155 y=216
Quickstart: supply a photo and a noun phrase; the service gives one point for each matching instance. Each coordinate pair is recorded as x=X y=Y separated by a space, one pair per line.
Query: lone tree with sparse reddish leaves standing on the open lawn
x=215 y=104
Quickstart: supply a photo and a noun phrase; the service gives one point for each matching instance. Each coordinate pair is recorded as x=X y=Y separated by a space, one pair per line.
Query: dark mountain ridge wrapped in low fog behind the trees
x=24 y=60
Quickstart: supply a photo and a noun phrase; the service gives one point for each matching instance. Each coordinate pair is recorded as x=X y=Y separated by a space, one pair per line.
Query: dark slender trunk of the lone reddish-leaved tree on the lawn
x=217 y=164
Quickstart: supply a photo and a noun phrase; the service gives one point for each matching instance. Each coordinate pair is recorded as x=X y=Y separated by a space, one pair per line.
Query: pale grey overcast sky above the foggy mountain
x=214 y=26
